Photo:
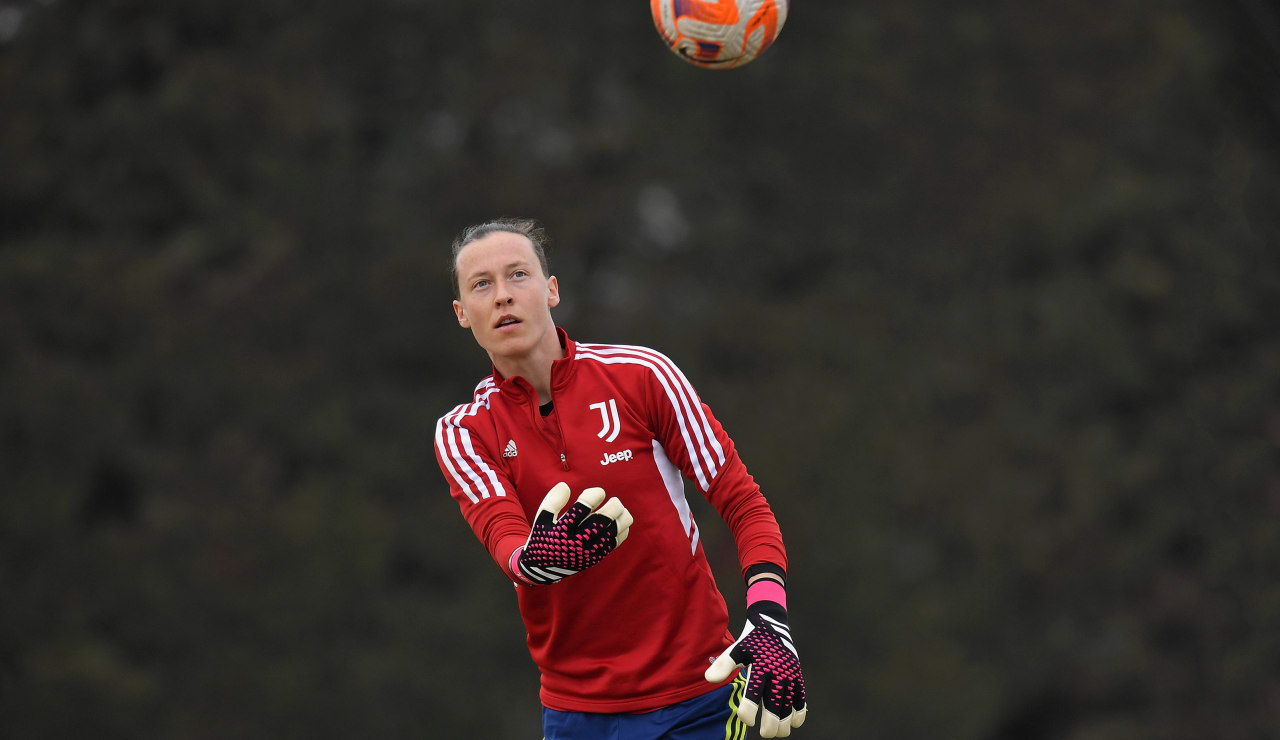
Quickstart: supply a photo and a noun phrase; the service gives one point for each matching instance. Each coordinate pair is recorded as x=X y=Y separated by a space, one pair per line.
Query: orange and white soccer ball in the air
x=719 y=35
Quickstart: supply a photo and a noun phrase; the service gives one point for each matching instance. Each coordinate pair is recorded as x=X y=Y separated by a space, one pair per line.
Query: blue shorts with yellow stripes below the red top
x=714 y=716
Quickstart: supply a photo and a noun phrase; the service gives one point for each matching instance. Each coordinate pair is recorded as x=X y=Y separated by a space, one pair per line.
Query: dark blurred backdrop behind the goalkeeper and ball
x=988 y=295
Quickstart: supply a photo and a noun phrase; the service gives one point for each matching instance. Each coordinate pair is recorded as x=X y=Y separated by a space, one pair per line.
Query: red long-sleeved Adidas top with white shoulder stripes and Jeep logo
x=638 y=631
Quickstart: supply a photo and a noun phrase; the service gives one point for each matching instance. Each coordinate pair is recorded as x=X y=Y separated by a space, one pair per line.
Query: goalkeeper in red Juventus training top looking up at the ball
x=623 y=636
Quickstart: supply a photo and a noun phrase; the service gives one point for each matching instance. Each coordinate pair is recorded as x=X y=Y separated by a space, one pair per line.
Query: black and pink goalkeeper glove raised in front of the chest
x=560 y=547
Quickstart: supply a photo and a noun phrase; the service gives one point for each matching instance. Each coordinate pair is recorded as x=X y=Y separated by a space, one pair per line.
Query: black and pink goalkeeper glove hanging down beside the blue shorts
x=769 y=654
